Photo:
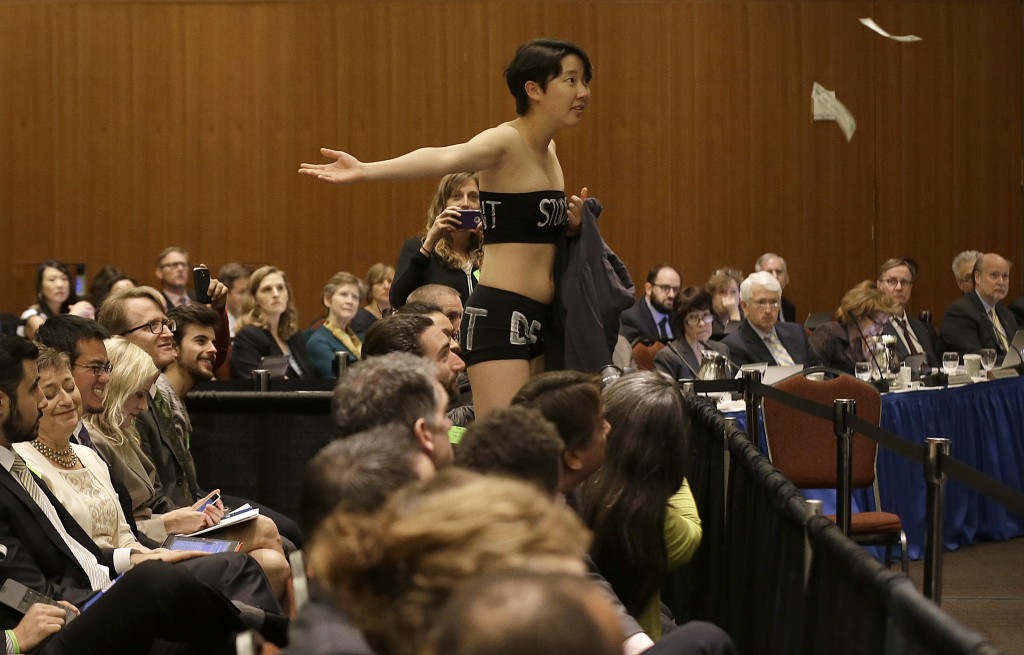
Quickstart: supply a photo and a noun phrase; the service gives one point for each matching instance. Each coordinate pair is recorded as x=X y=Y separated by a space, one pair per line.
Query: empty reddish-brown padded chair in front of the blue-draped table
x=803 y=448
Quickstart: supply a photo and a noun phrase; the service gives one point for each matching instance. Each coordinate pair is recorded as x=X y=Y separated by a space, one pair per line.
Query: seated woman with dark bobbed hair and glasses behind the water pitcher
x=693 y=320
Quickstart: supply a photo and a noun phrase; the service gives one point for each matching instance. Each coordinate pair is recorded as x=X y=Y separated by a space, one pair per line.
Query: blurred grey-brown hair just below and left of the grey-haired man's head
x=357 y=474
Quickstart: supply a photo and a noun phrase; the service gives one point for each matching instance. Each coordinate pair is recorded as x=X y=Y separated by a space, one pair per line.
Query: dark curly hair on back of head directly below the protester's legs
x=515 y=442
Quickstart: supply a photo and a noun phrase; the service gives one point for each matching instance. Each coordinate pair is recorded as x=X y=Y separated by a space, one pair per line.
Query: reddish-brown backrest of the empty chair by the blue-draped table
x=803 y=448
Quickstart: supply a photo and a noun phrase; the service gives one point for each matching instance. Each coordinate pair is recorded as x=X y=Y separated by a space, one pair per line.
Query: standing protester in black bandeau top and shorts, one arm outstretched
x=526 y=211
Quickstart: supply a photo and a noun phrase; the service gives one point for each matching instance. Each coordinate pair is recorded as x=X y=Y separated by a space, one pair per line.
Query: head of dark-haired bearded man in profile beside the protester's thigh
x=419 y=336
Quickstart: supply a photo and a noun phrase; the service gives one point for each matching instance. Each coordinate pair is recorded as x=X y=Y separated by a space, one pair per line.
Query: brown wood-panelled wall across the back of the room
x=135 y=125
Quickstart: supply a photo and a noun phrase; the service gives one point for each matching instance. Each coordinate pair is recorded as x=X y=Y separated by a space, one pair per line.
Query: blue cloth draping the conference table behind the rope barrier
x=986 y=425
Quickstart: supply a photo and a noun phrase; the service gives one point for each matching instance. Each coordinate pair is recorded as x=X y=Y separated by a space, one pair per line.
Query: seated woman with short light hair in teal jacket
x=342 y=297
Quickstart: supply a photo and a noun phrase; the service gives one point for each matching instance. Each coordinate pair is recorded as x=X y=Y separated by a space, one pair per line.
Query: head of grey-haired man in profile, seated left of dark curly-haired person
x=397 y=388
